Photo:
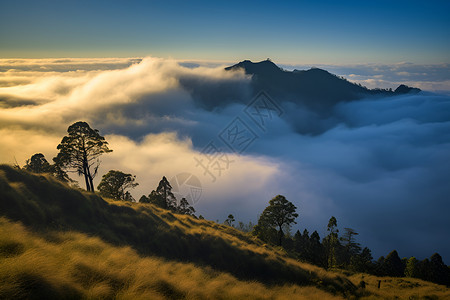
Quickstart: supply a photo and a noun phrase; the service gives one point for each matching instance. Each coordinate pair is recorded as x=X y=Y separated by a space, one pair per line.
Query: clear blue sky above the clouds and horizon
x=333 y=32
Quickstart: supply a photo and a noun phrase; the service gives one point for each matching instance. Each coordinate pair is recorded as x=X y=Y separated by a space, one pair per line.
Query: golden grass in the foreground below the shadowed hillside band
x=75 y=265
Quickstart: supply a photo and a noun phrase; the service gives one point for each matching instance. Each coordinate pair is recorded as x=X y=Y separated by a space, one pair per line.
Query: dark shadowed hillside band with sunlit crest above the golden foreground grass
x=45 y=205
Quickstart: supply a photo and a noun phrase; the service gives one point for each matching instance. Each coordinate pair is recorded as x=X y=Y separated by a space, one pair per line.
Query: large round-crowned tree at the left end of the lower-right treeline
x=280 y=213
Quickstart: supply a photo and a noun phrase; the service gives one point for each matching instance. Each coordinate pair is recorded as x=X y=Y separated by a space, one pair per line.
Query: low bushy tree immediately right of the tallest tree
x=115 y=183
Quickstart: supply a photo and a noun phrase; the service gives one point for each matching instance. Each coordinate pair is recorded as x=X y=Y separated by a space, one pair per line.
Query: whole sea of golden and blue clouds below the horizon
x=377 y=164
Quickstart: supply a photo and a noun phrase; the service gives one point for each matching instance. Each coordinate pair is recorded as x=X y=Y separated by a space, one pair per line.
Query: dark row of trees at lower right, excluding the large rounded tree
x=343 y=252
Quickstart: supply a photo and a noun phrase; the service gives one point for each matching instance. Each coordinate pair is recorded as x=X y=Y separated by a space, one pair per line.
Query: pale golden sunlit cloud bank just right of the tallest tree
x=164 y=154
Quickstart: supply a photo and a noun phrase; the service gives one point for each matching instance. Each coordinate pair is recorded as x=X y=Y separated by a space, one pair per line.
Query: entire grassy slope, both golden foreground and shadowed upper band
x=70 y=243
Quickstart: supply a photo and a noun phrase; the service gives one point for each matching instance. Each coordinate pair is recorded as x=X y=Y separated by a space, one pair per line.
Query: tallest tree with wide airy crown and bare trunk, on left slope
x=80 y=150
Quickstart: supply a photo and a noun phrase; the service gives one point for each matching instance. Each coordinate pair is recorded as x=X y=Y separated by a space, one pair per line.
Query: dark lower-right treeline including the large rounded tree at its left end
x=337 y=250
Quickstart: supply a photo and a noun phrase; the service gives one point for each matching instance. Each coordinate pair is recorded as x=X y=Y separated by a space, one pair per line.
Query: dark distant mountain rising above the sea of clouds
x=315 y=88
